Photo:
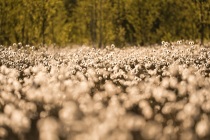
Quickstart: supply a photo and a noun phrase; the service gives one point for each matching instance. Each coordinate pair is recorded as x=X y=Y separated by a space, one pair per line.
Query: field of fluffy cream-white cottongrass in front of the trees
x=136 y=93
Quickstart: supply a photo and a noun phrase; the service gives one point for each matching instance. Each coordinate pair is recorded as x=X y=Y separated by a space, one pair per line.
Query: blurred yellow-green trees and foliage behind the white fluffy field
x=102 y=22
